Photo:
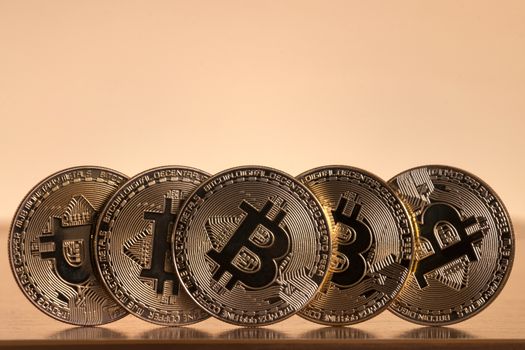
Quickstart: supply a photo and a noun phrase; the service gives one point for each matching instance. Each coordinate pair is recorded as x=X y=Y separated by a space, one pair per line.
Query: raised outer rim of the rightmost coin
x=511 y=257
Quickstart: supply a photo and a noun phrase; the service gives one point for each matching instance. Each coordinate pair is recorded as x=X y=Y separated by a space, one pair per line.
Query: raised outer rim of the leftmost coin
x=19 y=207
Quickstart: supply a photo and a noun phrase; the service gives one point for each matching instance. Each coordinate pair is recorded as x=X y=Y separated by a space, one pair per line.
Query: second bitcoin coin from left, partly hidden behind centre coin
x=133 y=246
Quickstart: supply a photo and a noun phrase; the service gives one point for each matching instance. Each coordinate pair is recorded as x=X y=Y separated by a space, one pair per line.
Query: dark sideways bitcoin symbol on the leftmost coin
x=66 y=241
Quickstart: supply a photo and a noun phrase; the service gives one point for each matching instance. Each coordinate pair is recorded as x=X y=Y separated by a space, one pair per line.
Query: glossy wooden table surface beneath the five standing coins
x=501 y=325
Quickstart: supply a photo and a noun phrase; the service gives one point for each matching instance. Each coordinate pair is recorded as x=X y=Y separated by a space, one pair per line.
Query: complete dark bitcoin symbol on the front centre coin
x=250 y=253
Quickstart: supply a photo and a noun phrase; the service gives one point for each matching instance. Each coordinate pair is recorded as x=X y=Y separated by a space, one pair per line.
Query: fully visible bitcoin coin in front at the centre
x=252 y=245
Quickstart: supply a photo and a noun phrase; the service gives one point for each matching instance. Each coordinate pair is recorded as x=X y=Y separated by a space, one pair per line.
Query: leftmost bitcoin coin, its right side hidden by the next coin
x=50 y=241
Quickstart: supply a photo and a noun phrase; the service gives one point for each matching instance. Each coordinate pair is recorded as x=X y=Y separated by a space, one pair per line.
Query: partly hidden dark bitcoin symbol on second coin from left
x=161 y=267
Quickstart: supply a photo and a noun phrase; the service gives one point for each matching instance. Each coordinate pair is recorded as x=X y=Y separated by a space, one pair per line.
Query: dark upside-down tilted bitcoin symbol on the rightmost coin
x=444 y=240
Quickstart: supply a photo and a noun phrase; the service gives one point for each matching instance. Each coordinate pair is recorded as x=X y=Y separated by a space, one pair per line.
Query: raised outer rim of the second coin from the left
x=96 y=234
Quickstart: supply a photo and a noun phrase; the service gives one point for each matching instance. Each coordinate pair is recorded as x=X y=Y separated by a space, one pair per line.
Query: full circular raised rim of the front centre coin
x=253 y=167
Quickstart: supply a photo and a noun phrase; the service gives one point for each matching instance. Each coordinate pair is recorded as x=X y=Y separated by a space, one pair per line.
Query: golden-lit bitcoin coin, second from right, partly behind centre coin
x=373 y=239
